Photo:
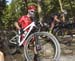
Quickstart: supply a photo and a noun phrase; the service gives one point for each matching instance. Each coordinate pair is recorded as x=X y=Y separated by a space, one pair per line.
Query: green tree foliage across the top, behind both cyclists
x=17 y=8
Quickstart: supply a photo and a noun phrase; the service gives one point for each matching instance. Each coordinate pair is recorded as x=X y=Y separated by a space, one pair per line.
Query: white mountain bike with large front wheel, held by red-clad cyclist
x=38 y=45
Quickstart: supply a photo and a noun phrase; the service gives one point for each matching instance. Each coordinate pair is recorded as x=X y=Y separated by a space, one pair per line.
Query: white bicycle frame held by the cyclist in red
x=30 y=27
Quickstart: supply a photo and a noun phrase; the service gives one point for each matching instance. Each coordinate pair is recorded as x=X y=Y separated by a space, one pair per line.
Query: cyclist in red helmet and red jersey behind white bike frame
x=25 y=20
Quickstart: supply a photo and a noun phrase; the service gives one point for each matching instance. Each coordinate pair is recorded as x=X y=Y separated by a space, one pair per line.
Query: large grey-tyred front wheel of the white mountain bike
x=49 y=47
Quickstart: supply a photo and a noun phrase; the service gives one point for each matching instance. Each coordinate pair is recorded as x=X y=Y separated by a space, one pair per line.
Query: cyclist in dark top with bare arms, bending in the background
x=54 y=17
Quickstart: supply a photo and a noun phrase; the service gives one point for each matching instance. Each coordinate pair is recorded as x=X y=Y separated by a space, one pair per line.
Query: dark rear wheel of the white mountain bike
x=11 y=47
